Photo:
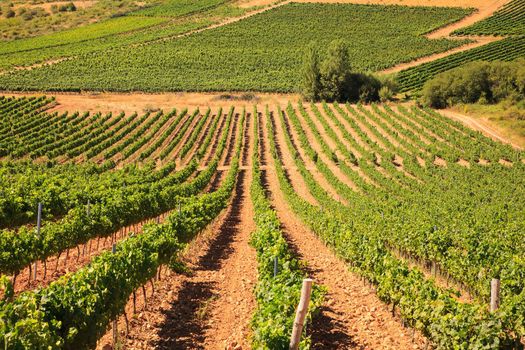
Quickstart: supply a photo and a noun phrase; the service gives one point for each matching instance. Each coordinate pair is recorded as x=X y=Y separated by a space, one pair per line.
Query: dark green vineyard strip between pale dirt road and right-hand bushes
x=508 y=49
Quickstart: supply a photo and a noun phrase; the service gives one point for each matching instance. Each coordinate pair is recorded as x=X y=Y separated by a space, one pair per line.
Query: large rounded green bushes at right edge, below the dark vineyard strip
x=476 y=82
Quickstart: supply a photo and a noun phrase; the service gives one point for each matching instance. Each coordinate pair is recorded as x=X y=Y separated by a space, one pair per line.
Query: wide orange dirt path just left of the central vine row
x=213 y=308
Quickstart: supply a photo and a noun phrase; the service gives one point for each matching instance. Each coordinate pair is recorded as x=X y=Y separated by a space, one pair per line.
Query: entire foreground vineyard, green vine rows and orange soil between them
x=424 y=209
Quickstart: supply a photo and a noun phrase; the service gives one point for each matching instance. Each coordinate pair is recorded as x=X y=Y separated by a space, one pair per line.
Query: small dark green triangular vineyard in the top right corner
x=510 y=20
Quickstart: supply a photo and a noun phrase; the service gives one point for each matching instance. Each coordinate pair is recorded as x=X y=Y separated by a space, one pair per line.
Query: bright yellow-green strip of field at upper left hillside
x=110 y=34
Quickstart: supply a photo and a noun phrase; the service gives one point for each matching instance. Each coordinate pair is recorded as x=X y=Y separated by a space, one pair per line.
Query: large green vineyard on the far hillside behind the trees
x=261 y=53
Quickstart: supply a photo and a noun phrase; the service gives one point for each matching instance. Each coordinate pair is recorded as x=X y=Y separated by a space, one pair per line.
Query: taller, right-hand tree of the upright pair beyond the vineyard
x=335 y=72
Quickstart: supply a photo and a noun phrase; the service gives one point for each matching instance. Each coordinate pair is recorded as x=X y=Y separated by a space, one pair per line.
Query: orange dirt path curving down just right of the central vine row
x=352 y=316
